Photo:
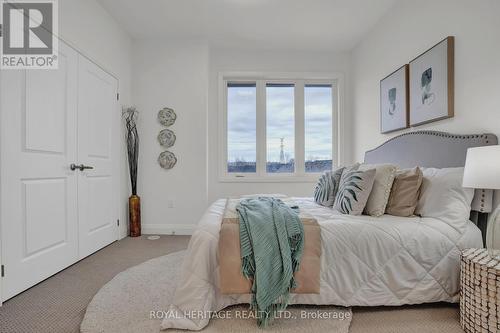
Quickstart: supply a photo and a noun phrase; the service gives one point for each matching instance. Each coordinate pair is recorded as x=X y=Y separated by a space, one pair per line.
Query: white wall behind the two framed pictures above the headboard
x=407 y=30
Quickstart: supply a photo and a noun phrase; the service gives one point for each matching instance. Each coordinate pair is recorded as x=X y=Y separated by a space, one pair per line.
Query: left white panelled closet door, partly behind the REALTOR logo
x=38 y=189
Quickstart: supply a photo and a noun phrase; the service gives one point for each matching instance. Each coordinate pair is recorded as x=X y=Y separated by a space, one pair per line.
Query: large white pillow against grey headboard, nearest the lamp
x=443 y=197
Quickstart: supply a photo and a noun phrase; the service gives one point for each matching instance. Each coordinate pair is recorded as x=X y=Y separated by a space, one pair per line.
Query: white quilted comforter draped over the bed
x=366 y=261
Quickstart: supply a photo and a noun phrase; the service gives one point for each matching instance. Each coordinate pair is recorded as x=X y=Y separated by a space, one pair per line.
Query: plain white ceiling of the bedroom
x=291 y=24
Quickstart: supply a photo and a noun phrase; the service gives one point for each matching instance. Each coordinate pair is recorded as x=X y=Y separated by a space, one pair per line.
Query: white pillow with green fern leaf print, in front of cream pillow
x=354 y=190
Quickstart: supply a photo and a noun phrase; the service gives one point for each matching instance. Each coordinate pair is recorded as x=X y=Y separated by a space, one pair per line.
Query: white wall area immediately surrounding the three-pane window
x=226 y=60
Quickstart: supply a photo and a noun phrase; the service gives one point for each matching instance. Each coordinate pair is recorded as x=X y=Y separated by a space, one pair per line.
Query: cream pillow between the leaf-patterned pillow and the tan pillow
x=384 y=176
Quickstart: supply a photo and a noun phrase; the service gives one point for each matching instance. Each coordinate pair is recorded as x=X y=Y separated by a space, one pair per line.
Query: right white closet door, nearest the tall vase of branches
x=98 y=121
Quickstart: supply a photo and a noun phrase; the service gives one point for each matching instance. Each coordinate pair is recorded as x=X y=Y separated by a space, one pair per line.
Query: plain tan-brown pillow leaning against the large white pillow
x=404 y=193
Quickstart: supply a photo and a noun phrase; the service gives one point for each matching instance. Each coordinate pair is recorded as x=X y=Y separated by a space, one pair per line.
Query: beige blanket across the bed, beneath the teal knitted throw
x=231 y=279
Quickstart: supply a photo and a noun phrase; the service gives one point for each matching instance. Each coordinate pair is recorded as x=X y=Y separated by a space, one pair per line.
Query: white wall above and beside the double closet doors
x=85 y=25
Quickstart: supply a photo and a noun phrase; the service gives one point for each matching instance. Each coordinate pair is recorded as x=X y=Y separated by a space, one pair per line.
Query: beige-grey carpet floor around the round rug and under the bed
x=57 y=305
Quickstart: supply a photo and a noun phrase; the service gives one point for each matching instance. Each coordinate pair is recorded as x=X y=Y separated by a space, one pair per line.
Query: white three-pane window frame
x=300 y=80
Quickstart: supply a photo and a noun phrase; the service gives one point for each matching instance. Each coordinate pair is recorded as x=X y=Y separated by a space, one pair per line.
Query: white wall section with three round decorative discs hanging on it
x=172 y=74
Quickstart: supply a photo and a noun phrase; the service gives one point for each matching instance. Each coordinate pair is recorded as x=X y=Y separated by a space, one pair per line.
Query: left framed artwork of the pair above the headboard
x=394 y=101
